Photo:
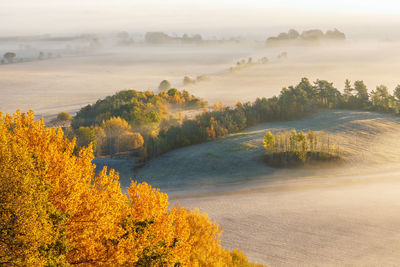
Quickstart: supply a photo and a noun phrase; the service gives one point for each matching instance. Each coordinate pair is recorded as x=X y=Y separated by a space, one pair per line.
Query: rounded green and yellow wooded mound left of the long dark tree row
x=119 y=122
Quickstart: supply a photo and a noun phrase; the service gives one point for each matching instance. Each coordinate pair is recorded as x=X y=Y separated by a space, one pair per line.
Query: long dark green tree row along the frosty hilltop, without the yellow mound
x=294 y=102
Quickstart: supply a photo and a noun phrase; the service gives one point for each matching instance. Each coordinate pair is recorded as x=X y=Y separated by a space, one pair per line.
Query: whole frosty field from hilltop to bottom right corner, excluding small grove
x=344 y=215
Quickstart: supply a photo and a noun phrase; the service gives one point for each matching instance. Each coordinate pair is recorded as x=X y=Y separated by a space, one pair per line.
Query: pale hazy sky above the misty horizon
x=214 y=16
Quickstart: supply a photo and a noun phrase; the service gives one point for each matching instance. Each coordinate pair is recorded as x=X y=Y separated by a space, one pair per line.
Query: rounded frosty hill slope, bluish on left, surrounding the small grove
x=368 y=138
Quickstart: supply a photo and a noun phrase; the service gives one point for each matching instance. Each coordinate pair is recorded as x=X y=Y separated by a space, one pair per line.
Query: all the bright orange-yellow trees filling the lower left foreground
x=56 y=212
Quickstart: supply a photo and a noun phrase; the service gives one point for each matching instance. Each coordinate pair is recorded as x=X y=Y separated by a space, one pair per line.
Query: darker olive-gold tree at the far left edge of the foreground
x=28 y=222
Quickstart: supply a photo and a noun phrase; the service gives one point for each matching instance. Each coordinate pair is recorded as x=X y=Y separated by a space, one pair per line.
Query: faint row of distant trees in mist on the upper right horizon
x=309 y=35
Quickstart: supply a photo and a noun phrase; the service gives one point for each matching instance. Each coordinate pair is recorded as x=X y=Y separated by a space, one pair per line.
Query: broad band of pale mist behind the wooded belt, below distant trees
x=70 y=82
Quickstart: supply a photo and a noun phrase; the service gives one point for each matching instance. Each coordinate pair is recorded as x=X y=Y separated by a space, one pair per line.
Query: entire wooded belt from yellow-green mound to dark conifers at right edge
x=132 y=120
